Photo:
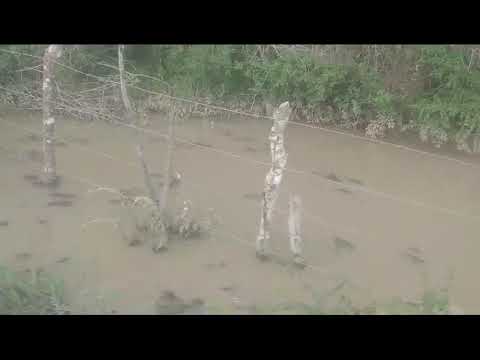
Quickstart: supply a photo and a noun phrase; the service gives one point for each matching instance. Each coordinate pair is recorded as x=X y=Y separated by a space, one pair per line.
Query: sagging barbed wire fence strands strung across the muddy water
x=76 y=103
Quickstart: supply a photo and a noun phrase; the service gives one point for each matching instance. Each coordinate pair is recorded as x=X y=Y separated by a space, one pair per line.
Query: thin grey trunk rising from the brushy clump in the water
x=163 y=237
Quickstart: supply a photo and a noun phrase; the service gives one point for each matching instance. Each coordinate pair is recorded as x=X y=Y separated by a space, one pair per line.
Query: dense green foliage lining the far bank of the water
x=435 y=94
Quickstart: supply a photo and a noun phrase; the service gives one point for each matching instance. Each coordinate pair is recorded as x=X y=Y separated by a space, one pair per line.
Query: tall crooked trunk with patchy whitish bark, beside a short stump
x=274 y=176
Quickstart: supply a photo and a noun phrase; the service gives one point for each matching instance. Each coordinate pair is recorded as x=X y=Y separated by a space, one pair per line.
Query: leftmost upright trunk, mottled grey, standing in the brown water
x=52 y=53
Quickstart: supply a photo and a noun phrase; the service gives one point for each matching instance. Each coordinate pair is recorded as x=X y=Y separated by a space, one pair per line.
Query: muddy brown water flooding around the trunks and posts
x=103 y=272
